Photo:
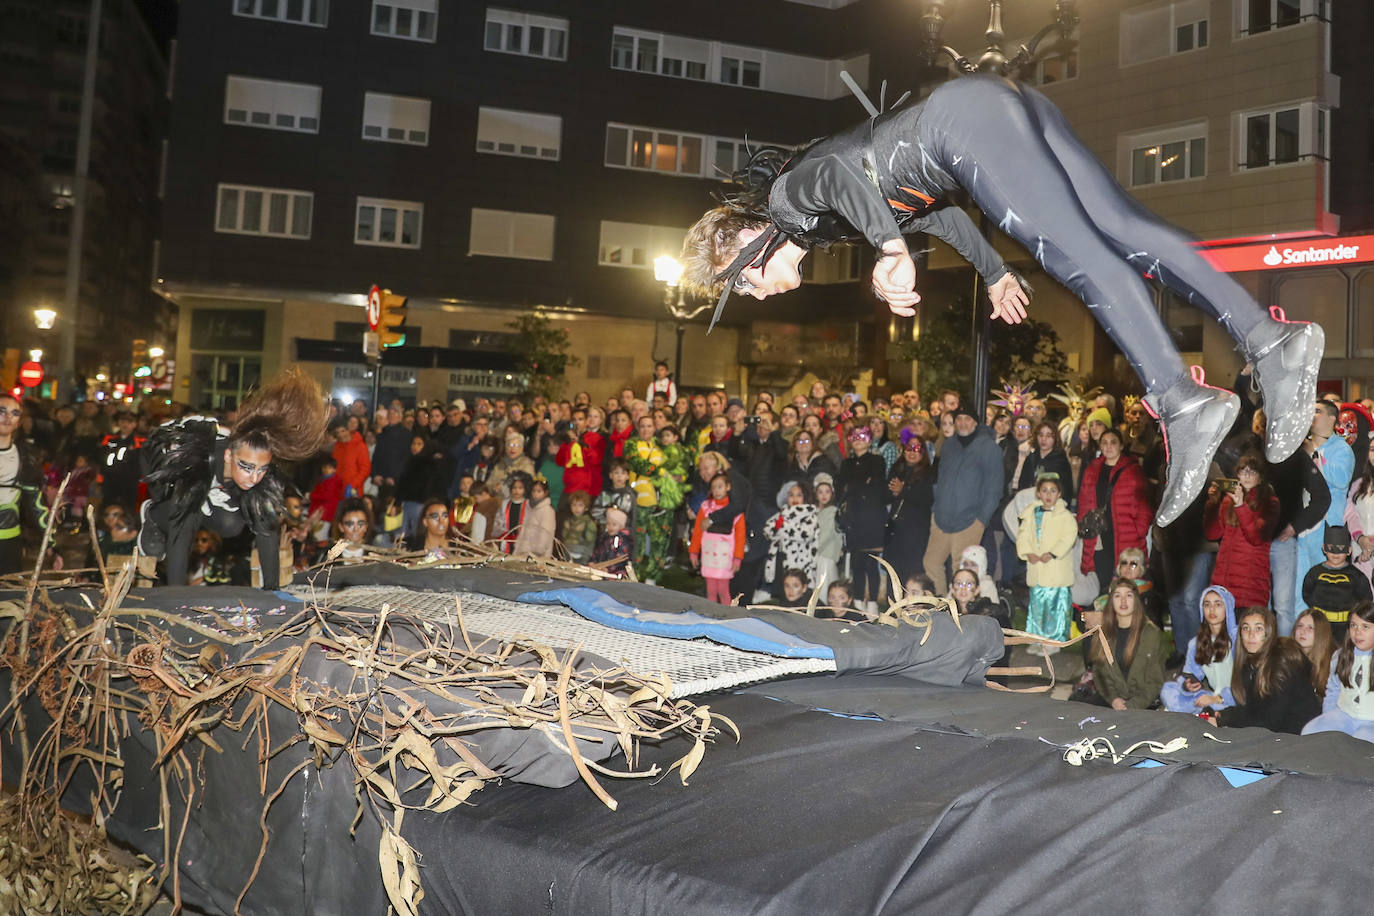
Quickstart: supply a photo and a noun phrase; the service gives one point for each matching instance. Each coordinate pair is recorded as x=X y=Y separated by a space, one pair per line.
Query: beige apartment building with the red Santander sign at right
x=1247 y=123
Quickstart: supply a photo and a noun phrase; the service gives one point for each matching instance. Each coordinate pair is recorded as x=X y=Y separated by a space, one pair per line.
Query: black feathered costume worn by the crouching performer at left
x=190 y=488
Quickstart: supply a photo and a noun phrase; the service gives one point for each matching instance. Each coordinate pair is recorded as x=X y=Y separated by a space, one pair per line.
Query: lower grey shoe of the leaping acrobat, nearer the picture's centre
x=1195 y=420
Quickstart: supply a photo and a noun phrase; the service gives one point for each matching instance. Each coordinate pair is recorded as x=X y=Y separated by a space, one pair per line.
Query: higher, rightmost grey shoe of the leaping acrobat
x=1285 y=358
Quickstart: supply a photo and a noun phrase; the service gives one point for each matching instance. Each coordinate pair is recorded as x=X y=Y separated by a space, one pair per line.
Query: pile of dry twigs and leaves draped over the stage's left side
x=416 y=690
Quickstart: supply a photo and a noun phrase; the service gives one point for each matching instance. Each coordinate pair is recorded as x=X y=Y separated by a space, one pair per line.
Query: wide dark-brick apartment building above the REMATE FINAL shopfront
x=486 y=160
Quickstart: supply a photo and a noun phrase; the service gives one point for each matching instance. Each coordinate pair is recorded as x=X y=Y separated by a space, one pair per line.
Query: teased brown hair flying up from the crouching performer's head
x=286 y=417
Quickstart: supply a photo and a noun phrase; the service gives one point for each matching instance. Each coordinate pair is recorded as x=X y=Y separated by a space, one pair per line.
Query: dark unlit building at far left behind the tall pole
x=43 y=49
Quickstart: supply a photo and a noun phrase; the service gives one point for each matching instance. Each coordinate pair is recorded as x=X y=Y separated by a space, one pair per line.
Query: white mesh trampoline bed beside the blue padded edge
x=696 y=667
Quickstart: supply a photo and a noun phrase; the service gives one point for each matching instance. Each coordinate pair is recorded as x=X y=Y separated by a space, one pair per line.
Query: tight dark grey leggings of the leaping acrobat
x=1034 y=178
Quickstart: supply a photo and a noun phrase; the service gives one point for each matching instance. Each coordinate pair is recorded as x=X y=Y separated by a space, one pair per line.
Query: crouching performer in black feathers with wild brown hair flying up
x=204 y=476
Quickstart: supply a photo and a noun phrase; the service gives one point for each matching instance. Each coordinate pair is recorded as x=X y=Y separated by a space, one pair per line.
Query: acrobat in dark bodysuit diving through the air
x=1016 y=156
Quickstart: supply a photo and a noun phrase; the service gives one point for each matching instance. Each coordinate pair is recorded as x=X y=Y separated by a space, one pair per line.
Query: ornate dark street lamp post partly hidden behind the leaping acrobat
x=995 y=61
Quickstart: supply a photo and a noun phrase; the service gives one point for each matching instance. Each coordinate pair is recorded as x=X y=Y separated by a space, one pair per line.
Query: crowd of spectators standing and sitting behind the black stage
x=1259 y=598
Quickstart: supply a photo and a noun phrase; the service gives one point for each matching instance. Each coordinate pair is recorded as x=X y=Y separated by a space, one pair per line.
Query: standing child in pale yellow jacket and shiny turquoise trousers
x=1045 y=542
